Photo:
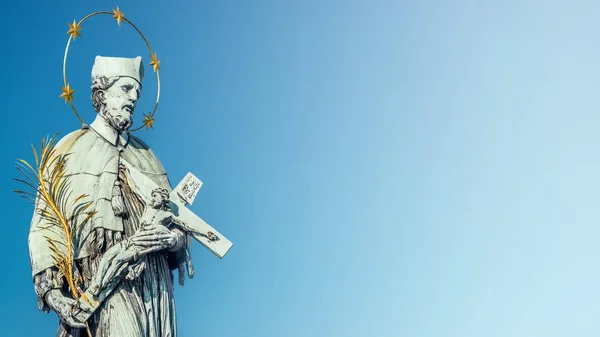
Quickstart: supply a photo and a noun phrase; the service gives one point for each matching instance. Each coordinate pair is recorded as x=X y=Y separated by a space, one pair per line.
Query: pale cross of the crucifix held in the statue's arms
x=181 y=196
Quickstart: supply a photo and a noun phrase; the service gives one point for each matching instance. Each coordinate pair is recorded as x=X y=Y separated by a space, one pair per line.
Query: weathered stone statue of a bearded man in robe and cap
x=119 y=237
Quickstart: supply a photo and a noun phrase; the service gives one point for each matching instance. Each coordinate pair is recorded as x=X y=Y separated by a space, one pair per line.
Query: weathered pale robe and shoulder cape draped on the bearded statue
x=143 y=306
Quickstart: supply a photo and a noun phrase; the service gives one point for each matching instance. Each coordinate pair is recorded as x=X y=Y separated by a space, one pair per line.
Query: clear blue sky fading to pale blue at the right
x=384 y=168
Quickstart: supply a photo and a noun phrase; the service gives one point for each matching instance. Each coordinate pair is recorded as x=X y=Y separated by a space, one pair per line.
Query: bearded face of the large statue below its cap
x=120 y=101
